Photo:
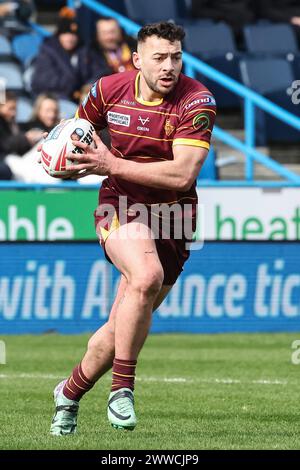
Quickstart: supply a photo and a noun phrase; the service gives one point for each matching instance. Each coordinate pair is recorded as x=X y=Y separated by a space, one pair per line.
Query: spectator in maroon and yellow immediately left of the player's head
x=112 y=48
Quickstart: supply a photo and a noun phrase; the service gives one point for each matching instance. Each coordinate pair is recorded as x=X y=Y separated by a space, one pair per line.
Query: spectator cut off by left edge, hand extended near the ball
x=12 y=140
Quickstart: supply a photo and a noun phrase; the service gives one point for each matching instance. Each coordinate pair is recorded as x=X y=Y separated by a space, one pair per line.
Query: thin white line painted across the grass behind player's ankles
x=223 y=381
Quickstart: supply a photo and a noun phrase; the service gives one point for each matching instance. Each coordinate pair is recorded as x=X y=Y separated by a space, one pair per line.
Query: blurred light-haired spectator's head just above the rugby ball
x=45 y=113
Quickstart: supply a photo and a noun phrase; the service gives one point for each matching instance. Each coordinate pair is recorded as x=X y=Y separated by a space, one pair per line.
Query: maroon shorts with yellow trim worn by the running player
x=172 y=249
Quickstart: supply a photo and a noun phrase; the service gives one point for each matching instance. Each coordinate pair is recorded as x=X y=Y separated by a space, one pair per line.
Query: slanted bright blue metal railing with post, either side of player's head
x=252 y=100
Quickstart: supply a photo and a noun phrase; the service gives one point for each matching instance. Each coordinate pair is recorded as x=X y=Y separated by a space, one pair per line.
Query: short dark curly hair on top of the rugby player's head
x=164 y=30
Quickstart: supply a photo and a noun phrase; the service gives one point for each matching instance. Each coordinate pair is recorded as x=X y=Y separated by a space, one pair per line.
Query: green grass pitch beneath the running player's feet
x=200 y=412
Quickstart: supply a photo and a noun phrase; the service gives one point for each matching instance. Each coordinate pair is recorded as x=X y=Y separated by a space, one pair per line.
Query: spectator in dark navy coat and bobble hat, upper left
x=62 y=65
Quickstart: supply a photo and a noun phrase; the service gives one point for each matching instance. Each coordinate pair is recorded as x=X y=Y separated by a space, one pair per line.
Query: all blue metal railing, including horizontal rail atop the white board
x=251 y=98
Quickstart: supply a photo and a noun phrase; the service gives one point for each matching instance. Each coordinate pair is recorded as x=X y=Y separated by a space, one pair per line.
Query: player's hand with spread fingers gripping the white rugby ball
x=94 y=161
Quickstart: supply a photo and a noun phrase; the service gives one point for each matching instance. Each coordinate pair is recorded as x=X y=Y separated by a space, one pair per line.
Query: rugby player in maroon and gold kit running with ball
x=160 y=122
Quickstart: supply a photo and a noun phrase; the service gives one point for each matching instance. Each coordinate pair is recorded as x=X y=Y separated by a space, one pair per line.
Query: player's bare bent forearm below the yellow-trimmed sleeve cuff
x=162 y=175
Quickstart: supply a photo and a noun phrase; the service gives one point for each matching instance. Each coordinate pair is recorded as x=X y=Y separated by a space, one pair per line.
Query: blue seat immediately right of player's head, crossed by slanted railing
x=215 y=44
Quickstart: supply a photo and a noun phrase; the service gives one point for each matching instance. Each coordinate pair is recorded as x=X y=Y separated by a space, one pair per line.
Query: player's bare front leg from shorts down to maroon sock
x=138 y=261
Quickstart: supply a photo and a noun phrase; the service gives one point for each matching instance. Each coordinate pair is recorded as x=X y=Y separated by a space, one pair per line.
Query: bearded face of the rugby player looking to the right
x=160 y=62
